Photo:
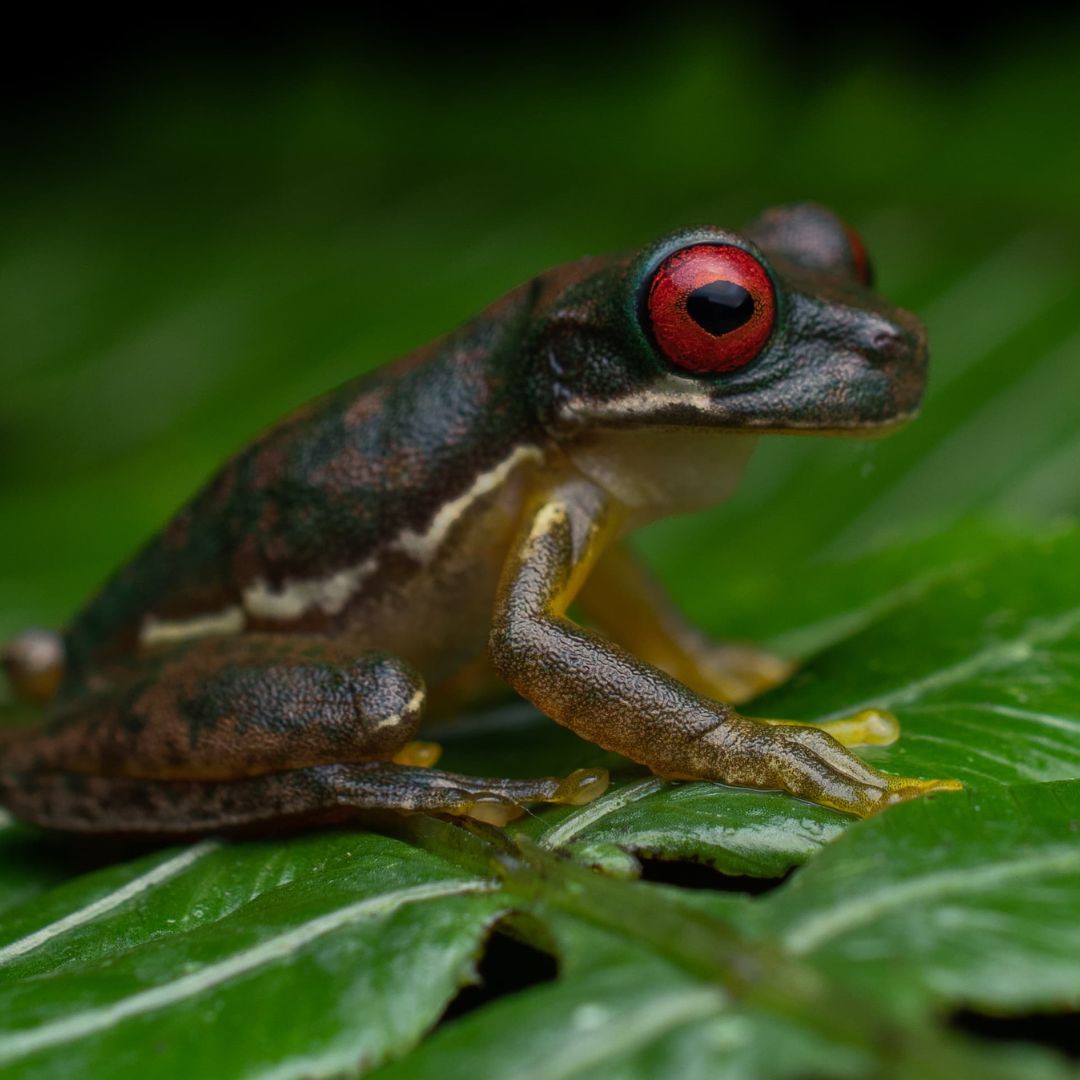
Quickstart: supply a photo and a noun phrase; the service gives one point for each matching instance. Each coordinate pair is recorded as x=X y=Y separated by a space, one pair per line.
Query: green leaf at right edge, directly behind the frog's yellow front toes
x=994 y=699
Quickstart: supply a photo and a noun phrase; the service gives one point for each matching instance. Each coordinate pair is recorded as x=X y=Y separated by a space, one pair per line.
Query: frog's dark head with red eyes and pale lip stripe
x=774 y=330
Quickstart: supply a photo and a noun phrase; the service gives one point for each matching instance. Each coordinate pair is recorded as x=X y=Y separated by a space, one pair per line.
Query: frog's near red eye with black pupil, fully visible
x=712 y=308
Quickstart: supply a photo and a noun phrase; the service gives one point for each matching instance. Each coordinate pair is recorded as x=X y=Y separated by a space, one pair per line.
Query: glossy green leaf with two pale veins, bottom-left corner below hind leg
x=323 y=954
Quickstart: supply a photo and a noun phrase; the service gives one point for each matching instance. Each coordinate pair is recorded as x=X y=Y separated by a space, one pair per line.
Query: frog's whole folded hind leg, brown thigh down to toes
x=225 y=735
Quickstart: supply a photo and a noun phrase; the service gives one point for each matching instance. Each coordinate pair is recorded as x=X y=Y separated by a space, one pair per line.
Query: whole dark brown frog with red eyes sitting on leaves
x=407 y=544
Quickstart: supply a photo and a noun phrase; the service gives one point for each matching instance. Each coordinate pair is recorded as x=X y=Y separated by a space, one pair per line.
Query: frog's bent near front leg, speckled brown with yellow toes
x=614 y=699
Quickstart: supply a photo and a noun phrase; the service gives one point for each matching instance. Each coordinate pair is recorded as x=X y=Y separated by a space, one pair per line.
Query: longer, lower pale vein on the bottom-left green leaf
x=79 y=1025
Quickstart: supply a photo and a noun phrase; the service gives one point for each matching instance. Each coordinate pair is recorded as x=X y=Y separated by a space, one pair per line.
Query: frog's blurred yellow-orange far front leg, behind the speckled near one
x=627 y=602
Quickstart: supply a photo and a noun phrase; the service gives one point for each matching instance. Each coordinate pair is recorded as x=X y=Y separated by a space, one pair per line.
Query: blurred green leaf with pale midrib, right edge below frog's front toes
x=970 y=900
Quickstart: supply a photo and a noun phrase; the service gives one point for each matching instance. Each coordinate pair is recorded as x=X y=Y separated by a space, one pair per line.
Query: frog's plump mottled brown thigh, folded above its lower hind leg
x=224 y=709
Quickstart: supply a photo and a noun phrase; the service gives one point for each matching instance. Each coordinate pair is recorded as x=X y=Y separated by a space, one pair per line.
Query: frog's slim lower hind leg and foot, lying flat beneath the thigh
x=317 y=795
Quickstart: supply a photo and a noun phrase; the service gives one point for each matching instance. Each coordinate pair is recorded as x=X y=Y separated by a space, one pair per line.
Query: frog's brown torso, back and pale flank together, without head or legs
x=322 y=525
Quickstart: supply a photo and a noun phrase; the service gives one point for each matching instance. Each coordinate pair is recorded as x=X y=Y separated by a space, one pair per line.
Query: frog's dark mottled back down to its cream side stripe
x=313 y=515
